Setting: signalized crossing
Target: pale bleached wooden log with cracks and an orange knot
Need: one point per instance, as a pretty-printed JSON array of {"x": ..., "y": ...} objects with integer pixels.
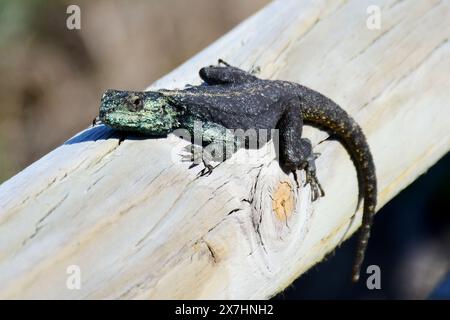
[{"x": 140, "y": 225}]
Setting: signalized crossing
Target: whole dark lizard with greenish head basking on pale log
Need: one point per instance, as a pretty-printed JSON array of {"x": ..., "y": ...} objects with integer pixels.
[{"x": 231, "y": 98}]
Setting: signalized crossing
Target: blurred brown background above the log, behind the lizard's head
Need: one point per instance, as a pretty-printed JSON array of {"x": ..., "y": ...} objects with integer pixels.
[{"x": 52, "y": 78}]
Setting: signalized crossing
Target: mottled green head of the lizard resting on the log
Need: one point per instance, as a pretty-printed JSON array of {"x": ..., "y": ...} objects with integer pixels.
[{"x": 147, "y": 112}]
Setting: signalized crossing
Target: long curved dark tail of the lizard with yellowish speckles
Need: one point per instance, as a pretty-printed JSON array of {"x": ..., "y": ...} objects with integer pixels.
[{"x": 327, "y": 115}]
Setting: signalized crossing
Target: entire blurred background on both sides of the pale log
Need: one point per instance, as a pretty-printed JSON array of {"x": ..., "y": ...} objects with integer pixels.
[{"x": 51, "y": 80}]
